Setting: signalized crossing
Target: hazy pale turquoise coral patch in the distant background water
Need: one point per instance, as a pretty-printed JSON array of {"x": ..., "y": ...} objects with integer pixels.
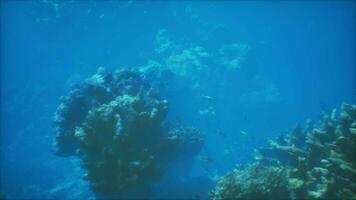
[{"x": 191, "y": 61}]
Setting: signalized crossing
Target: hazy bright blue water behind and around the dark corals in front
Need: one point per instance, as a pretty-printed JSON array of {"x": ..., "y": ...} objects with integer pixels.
[{"x": 296, "y": 59}]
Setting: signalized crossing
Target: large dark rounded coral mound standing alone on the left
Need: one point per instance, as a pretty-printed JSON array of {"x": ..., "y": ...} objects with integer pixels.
[{"x": 115, "y": 123}]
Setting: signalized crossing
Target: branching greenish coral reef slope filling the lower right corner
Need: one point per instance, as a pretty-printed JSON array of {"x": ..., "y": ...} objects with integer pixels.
[{"x": 317, "y": 162}]
